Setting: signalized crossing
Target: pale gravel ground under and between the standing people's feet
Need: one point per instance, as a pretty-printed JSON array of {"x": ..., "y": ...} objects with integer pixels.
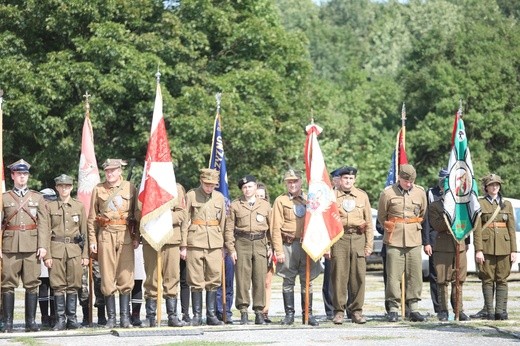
[{"x": 376, "y": 332}]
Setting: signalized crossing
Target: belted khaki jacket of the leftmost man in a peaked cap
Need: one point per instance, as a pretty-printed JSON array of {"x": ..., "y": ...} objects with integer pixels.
[{"x": 32, "y": 213}]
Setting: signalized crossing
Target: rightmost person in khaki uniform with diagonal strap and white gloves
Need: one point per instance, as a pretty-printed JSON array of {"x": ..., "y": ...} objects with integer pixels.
[{"x": 495, "y": 246}]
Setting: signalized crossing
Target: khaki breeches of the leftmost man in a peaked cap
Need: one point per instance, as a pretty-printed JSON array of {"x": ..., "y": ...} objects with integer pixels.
[{"x": 16, "y": 266}]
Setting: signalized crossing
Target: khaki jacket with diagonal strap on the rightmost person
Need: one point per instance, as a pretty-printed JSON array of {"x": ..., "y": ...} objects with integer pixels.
[{"x": 495, "y": 240}]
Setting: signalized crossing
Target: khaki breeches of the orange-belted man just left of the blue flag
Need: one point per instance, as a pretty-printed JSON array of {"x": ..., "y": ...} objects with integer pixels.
[{"x": 204, "y": 269}]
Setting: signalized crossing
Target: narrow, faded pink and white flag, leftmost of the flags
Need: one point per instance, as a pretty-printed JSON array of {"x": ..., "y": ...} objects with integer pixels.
[{"x": 88, "y": 176}]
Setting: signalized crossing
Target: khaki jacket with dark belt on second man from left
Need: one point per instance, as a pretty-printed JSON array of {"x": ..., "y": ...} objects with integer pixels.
[{"x": 67, "y": 220}]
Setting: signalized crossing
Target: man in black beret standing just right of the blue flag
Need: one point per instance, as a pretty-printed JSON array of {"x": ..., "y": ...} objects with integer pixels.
[{"x": 248, "y": 221}]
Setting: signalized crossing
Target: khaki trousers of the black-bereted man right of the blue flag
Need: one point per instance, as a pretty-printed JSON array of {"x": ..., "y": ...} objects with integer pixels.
[{"x": 251, "y": 267}]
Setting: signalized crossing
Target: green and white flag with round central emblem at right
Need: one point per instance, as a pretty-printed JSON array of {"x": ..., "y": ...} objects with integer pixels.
[{"x": 461, "y": 204}]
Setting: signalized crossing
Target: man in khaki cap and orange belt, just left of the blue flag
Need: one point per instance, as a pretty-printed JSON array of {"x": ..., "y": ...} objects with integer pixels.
[{"x": 202, "y": 244}]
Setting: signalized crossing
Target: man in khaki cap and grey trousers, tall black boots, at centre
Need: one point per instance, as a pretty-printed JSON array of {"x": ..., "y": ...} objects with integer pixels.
[{"x": 287, "y": 222}]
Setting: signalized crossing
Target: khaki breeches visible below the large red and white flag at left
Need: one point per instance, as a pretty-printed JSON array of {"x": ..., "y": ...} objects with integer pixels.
[{"x": 170, "y": 272}]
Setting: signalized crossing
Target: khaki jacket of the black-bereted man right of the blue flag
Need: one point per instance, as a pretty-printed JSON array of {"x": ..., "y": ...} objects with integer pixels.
[{"x": 245, "y": 218}]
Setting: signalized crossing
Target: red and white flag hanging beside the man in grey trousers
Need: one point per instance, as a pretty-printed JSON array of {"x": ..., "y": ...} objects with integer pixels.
[{"x": 322, "y": 221}]
